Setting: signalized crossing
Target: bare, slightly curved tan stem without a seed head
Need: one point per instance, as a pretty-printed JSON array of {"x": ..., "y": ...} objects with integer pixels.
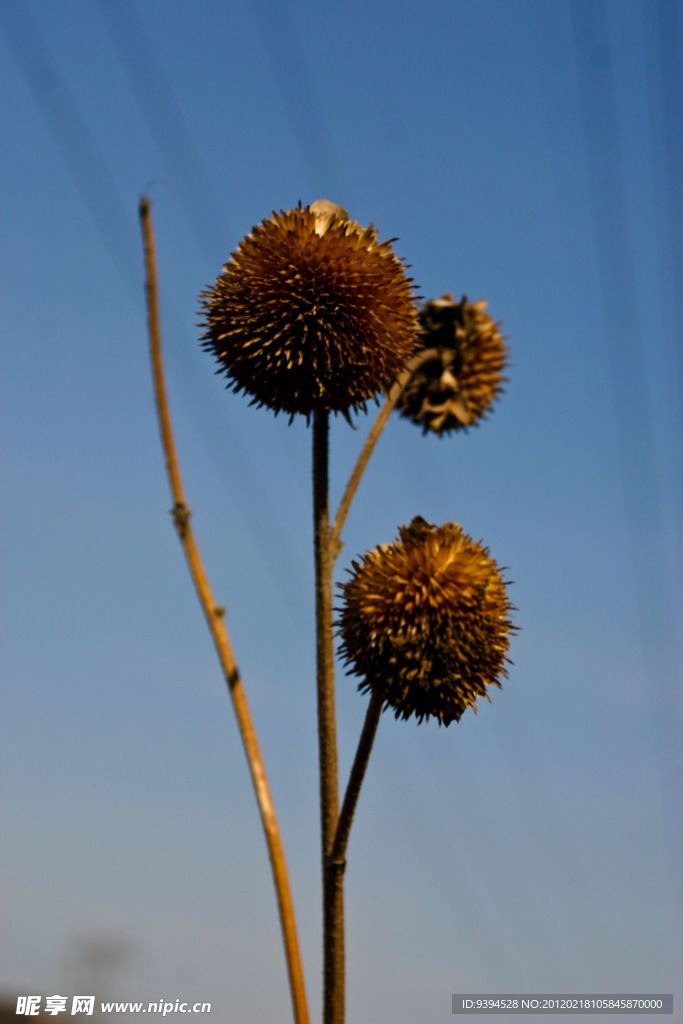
[{"x": 215, "y": 616}]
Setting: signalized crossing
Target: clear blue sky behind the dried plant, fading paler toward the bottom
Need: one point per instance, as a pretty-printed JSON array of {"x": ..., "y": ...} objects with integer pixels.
[{"x": 522, "y": 151}]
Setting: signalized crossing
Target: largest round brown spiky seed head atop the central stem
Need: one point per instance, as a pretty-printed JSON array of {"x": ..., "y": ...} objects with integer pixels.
[{"x": 311, "y": 313}]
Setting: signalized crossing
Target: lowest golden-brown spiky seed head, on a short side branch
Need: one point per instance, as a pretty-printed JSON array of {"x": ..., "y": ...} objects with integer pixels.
[{"x": 425, "y": 622}]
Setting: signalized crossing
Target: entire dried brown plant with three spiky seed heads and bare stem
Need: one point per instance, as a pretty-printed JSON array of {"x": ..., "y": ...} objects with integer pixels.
[{"x": 312, "y": 315}]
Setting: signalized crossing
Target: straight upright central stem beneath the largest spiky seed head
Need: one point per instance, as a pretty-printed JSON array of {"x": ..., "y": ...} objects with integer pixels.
[{"x": 333, "y": 881}]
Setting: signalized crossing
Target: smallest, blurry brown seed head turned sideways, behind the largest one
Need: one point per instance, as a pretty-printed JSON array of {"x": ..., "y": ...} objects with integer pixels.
[{"x": 457, "y": 388}]
